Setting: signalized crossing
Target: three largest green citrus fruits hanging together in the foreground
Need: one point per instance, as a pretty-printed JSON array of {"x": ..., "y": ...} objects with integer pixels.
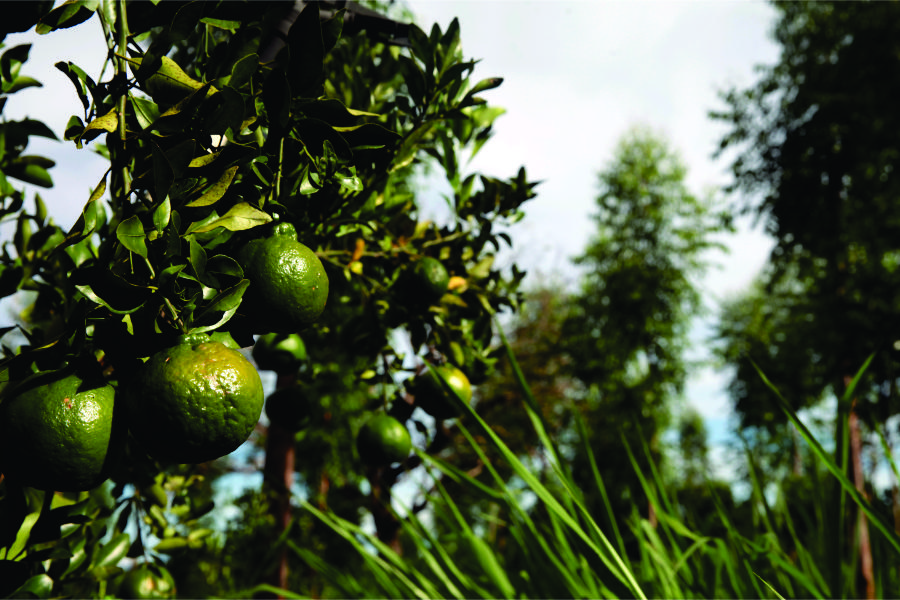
[{"x": 193, "y": 401}]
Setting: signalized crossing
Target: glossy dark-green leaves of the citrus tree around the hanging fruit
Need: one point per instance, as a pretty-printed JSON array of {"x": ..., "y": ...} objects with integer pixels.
[{"x": 214, "y": 130}]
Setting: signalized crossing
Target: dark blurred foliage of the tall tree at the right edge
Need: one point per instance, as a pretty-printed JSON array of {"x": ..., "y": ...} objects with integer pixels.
[{"x": 815, "y": 143}]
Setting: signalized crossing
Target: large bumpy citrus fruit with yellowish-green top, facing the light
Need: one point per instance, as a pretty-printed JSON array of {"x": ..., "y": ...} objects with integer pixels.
[{"x": 195, "y": 401}]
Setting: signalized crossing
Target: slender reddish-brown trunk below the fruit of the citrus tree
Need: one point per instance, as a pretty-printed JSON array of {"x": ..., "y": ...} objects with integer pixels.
[{"x": 278, "y": 476}]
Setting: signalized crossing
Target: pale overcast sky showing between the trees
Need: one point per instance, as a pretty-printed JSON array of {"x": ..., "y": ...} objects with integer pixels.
[{"x": 576, "y": 75}]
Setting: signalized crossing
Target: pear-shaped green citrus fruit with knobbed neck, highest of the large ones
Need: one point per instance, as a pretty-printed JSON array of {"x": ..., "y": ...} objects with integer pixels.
[{"x": 288, "y": 284}]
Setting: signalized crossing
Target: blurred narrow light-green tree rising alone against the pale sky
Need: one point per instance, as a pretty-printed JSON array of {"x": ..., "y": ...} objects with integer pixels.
[{"x": 627, "y": 331}]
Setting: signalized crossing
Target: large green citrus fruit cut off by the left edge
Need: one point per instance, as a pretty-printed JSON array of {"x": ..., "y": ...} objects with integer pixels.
[{"x": 58, "y": 432}]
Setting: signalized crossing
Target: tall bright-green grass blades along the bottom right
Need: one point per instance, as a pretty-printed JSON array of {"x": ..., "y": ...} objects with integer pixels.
[{"x": 553, "y": 547}]
